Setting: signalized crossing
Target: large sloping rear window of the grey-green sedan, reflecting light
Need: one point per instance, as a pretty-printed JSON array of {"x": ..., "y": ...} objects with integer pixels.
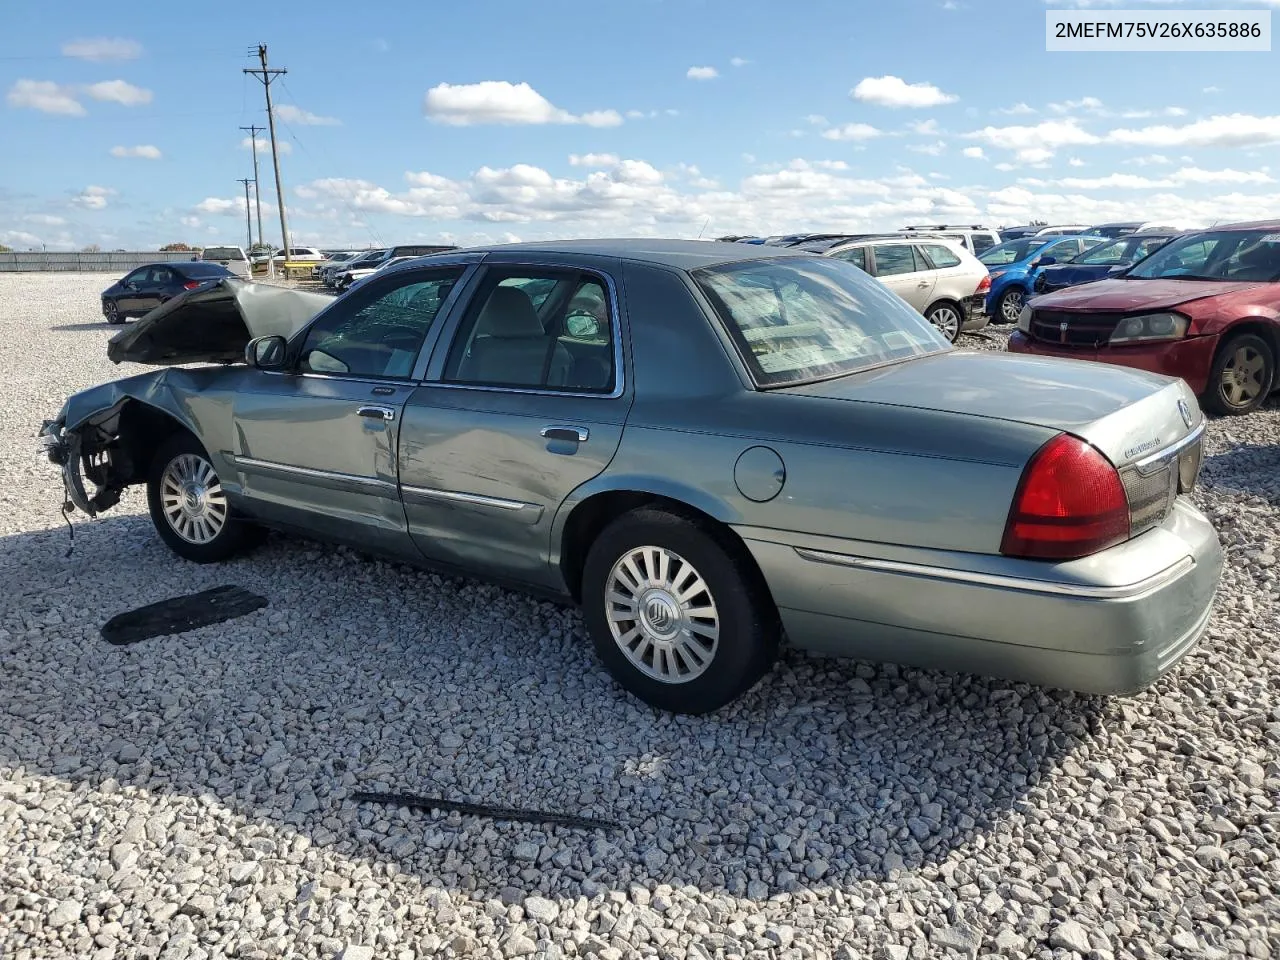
[{"x": 813, "y": 318}]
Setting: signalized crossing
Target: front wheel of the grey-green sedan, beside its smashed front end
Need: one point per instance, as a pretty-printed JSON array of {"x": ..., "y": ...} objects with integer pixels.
[{"x": 189, "y": 508}]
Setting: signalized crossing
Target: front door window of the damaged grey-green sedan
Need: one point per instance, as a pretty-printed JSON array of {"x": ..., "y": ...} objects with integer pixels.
[{"x": 378, "y": 331}]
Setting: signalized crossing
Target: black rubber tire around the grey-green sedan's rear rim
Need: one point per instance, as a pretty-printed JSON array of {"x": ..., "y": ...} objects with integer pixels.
[{"x": 748, "y": 624}]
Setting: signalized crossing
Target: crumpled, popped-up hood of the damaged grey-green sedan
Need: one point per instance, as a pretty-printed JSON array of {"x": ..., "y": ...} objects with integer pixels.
[{"x": 214, "y": 323}]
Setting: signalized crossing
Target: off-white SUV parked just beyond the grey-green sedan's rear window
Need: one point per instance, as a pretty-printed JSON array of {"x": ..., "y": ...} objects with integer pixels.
[{"x": 938, "y": 277}]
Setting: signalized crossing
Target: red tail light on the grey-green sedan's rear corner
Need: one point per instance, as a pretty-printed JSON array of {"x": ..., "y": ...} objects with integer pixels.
[{"x": 1069, "y": 504}]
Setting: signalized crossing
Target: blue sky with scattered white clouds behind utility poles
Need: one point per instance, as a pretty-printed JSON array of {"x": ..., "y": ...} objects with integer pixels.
[{"x": 499, "y": 121}]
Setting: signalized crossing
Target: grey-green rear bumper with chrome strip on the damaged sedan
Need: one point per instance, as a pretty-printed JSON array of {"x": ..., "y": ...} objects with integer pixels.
[{"x": 1112, "y": 624}]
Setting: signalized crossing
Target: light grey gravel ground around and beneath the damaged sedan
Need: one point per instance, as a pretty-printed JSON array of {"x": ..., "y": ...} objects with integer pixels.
[{"x": 188, "y": 797}]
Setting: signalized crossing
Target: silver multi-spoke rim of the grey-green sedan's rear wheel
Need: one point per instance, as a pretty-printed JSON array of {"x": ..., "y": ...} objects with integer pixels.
[{"x": 662, "y": 615}]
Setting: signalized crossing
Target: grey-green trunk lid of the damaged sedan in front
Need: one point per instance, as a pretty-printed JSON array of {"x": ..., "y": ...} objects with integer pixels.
[{"x": 1127, "y": 414}]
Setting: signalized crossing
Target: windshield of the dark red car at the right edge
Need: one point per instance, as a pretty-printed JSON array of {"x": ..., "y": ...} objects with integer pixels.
[{"x": 1217, "y": 255}]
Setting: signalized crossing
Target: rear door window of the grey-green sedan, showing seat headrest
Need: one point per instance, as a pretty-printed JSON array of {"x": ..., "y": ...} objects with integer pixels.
[{"x": 541, "y": 331}]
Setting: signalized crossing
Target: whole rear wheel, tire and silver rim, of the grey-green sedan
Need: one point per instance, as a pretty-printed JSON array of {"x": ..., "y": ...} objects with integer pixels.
[{"x": 678, "y": 612}]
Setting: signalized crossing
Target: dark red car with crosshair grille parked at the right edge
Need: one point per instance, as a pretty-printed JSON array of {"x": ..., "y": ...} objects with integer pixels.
[{"x": 1205, "y": 308}]
